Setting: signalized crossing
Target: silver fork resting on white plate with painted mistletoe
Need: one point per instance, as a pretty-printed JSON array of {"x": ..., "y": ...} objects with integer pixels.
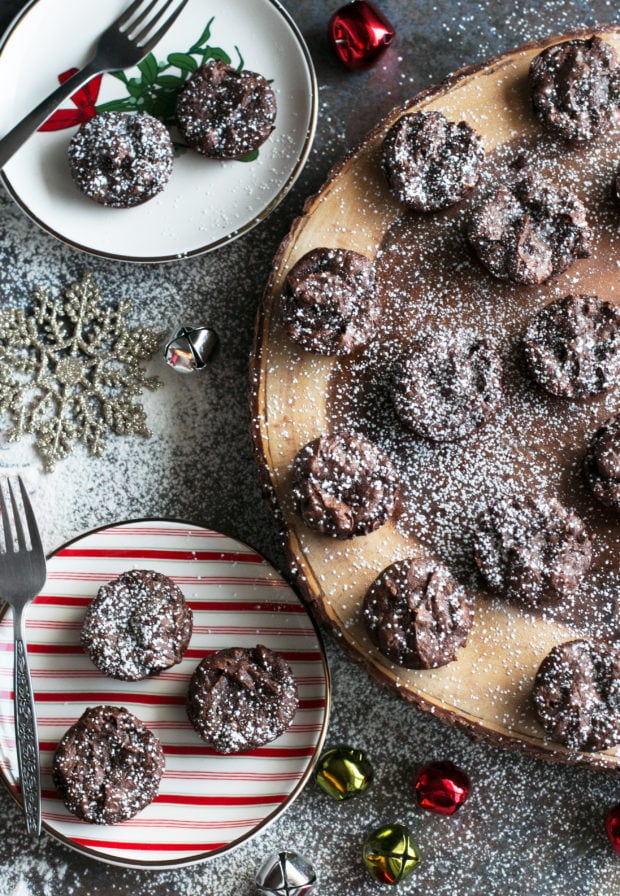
[{"x": 123, "y": 44}]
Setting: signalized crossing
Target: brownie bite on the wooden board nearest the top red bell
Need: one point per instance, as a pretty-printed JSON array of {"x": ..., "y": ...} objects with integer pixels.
[{"x": 431, "y": 162}]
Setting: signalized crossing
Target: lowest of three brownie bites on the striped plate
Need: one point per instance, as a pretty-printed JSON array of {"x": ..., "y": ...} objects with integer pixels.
[{"x": 108, "y": 765}]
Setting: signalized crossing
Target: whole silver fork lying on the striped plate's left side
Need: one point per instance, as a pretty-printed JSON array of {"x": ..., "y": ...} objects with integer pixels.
[{"x": 22, "y": 576}]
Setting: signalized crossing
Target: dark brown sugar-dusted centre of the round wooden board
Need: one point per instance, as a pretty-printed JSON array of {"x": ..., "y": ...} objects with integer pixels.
[{"x": 536, "y": 442}]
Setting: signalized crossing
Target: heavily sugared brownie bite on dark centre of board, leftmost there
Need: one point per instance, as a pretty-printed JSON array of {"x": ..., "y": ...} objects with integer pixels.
[{"x": 447, "y": 385}]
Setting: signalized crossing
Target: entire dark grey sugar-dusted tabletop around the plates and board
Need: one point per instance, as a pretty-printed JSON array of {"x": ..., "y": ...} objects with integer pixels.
[{"x": 530, "y": 828}]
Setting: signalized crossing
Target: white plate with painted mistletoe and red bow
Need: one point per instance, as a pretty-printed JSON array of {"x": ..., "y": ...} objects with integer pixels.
[{"x": 206, "y": 203}]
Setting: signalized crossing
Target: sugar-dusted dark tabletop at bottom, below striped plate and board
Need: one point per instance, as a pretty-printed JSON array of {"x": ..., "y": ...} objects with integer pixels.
[{"x": 497, "y": 844}]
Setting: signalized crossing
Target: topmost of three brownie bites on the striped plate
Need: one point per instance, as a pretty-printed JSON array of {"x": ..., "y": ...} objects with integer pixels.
[{"x": 138, "y": 625}]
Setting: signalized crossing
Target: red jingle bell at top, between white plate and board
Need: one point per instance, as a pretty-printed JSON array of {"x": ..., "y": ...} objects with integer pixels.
[{"x": 359, "y": 34}]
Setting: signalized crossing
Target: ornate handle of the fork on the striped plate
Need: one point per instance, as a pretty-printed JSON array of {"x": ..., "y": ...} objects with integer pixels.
[{"x": 26, "y": 736}]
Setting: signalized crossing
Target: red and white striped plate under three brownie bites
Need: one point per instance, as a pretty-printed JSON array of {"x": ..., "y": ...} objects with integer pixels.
[{"x": 207, "y": 803}]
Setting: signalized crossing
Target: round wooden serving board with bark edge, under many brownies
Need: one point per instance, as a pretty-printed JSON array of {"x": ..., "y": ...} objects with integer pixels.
[{"x": 430, "y": 282}]
